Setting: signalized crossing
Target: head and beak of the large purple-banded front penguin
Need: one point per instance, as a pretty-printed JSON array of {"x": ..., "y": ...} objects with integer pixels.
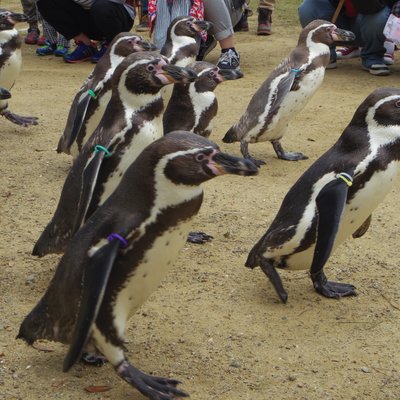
[{"x": 190, "y": 159}]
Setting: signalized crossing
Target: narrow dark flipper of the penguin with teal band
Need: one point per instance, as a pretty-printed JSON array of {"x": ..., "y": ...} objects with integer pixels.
[{"x": 89, "y": 180}]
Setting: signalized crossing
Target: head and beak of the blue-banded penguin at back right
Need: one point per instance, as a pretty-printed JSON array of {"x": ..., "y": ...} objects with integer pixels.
[{"x": 325, "y": 32}]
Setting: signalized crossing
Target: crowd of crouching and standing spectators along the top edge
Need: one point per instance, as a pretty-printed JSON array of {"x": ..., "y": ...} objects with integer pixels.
[{"x": 92, "y": 24}]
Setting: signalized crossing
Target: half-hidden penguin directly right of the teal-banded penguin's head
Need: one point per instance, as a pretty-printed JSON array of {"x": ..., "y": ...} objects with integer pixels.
[{"x": 193, "y": 105}]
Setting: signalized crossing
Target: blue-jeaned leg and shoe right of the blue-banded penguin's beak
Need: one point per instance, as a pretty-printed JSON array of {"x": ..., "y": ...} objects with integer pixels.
[{"x": 369, "y": 31}]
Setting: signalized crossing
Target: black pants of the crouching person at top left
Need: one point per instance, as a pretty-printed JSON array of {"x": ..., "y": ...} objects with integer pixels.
[{"x": 102, "y": 22}]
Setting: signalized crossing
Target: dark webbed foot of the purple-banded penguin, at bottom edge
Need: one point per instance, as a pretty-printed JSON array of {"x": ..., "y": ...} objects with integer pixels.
[{"x": 154, "y": 388}]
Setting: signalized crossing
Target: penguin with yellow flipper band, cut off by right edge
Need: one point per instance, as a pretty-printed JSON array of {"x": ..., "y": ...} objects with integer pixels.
[{"x": 335, "y": 197}]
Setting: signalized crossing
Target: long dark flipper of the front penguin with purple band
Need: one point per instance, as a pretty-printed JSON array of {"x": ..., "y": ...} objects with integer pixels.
[{"x": 95, "y": 279}]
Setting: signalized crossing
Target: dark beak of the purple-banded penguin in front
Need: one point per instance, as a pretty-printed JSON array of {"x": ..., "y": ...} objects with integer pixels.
[{"x": 223, "y": 163}]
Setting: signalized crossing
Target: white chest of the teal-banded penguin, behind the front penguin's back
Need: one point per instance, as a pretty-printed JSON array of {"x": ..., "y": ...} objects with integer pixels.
[{"x": 129, "y": 150}]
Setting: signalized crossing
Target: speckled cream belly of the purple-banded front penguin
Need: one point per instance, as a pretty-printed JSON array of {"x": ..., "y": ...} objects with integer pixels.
[{"x": 146, "y": 277}]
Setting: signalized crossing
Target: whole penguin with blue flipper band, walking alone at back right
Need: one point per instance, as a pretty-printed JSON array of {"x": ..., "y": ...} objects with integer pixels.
[{"x": 286, "y": 91}]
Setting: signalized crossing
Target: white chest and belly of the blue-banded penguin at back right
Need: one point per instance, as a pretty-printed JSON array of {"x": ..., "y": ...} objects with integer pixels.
[{"x": 293, "y": 103}]
